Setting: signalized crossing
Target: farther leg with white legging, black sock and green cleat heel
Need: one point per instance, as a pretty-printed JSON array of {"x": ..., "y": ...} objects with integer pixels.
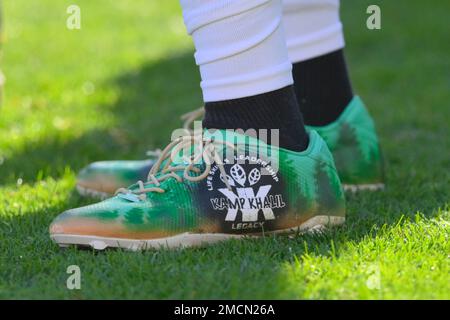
[{"x": 315, "y": 42}]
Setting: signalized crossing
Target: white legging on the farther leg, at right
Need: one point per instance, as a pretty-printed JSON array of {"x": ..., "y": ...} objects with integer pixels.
[{"x": 313, "y": 28}]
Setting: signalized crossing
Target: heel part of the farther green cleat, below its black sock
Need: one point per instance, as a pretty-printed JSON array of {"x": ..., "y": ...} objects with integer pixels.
[{"x": 353, "y": 141}]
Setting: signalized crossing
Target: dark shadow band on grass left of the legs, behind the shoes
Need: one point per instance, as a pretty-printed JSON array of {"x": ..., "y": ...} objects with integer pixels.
[{"x": 150, "y": 103}]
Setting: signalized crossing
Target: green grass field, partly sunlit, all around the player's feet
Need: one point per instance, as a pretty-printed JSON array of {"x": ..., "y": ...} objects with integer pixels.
[{"x": 116, "y": 87}]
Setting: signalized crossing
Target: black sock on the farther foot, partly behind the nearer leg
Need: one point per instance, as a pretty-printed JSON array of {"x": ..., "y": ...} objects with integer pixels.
[{"x": 323, "y": 88}]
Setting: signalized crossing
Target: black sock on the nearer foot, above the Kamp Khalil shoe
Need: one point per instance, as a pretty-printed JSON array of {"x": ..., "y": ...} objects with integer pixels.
[{"x": 272, "y": 110}]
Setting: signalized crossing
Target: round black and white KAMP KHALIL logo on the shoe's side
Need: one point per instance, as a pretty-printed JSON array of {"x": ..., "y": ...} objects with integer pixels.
[{"x": 254, "y": 200}]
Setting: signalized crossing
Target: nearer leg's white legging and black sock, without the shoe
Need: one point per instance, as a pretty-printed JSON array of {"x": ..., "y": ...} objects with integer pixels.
[{"x": 245, "y": 68}]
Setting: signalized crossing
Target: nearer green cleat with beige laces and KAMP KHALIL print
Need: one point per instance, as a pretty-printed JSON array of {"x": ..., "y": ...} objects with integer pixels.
[{"x": 192, "y": 197}]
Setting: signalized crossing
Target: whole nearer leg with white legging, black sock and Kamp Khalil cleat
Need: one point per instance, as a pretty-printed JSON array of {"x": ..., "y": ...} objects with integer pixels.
[{"x": 246, "y": 83}]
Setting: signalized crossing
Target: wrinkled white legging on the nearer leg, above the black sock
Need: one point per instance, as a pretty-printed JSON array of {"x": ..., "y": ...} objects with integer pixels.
[{"x": 240, "y": 46}]
